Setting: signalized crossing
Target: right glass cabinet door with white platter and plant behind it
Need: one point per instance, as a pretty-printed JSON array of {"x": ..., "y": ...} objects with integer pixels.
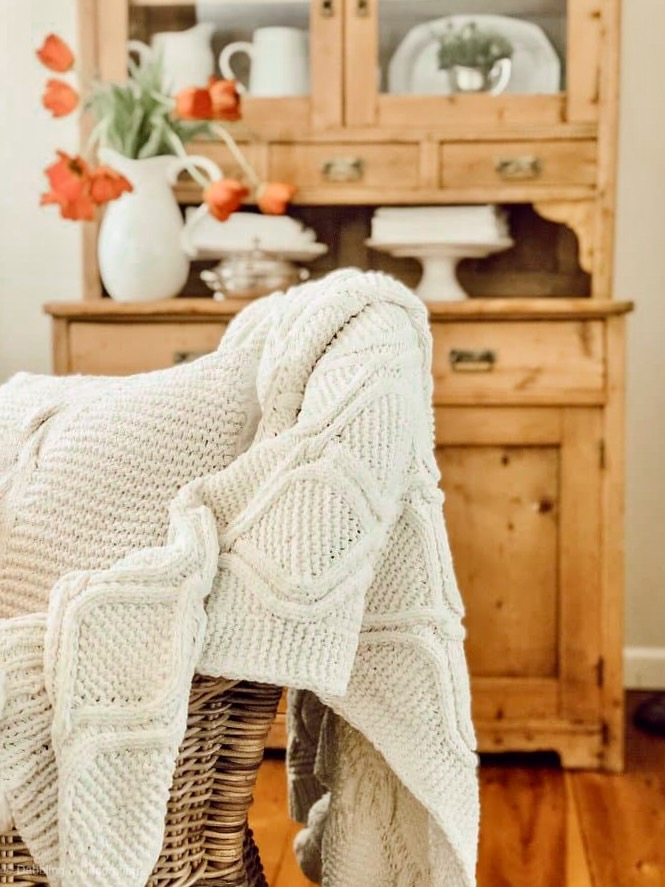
[{"x": 442, "y": 61}]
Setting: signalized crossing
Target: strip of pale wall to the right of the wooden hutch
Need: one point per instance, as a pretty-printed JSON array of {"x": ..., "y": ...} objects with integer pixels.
[{"x": 640, "y": 276}]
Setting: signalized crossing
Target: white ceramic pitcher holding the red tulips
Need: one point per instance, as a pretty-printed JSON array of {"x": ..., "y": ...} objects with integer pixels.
[{"x": 141, "y": 258}]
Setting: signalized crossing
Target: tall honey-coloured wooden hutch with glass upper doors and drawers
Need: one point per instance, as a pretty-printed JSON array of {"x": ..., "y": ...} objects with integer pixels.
[{"x": 529, "y": 371}]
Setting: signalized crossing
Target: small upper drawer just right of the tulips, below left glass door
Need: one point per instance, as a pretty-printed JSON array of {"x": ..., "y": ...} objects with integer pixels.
[{"x": 362, "y": 165}]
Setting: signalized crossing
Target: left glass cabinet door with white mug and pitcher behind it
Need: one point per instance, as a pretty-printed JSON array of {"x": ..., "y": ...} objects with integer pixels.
[{"x": 285, "y": 54}]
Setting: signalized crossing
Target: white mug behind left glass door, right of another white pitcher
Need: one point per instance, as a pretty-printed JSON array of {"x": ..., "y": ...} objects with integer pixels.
[{"x": 279, "y": 62}]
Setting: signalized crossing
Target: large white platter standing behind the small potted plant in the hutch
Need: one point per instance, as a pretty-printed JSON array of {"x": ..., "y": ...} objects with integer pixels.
[{"x": 414, "y": 68}]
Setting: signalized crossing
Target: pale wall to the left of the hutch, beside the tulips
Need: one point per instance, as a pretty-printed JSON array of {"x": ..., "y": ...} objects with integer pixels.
[{"x": 40, "y": 255}]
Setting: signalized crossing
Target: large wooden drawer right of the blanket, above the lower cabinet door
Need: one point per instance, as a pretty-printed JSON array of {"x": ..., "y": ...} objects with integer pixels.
[{"x": 556, "y": 362}]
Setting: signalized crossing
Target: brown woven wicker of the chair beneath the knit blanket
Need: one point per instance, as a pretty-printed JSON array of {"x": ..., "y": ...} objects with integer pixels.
[{"x": 206, "y": 839}]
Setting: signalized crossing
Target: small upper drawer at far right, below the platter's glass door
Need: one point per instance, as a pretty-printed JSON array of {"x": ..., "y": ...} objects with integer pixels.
[{"x": 518, "y": 163}]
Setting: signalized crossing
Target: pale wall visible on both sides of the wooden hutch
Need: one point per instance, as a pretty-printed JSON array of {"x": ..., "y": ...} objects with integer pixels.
[{"x": 40, "y": 261}]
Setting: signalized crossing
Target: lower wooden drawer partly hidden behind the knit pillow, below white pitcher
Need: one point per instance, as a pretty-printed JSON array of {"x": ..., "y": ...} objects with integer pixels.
[{"x": 118, "y": 349}]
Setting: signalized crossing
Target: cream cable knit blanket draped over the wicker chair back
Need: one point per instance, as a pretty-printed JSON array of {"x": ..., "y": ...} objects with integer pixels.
[{"x": 315, "y": 558}]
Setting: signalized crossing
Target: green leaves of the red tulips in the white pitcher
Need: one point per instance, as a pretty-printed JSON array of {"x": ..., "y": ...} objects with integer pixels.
[{"x": 135, "y": 118}]
